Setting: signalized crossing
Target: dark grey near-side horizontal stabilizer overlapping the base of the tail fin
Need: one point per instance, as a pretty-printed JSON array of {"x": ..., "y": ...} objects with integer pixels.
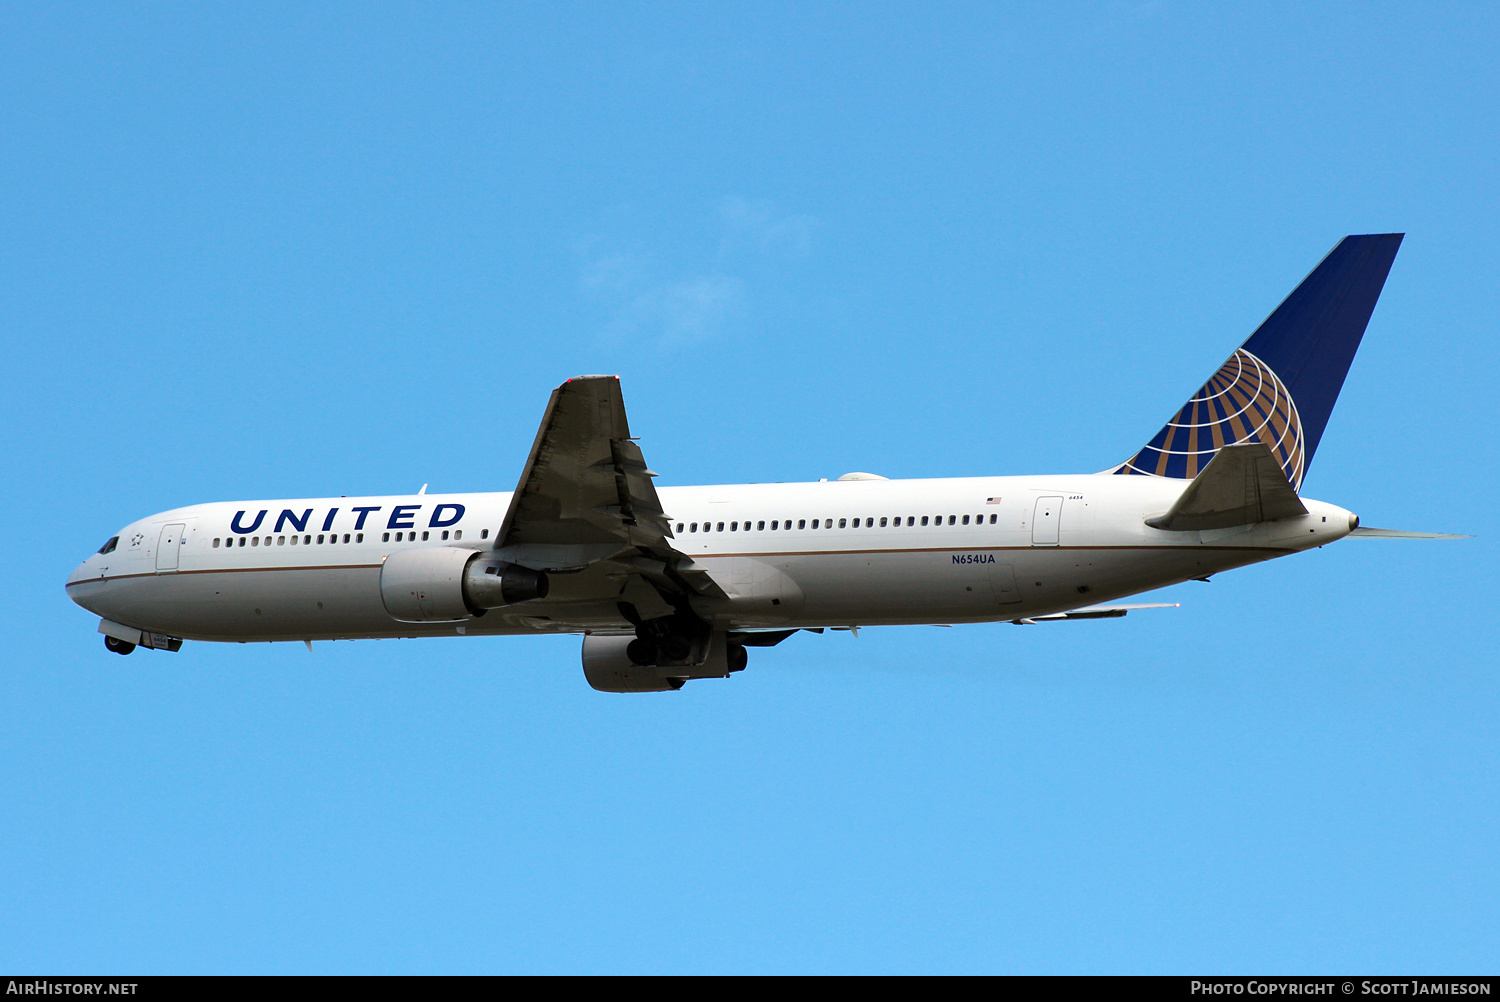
[{"x": 1241, "y": 485}]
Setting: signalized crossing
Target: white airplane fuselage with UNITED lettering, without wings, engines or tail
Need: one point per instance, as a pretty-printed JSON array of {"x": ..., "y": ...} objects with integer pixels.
[{"x": 883, "y": 553}]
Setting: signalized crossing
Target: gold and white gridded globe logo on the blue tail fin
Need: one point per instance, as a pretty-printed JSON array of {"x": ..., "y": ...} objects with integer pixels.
[{"x": 1244, "y": 401}]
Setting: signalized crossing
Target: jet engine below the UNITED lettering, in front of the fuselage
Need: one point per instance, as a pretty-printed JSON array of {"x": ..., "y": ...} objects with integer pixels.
[{"x": 449, "y": 584}]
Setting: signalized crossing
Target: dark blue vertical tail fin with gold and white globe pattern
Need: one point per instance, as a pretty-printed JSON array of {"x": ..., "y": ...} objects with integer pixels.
[{"x": 1280, "y": 386}]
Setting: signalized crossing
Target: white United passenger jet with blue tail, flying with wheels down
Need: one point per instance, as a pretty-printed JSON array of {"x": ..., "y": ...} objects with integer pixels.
[{"x": 674, "y": 584}]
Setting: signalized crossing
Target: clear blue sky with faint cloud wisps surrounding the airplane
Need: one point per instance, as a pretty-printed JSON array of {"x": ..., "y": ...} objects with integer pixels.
[{"x": 275, "y": 251}]
